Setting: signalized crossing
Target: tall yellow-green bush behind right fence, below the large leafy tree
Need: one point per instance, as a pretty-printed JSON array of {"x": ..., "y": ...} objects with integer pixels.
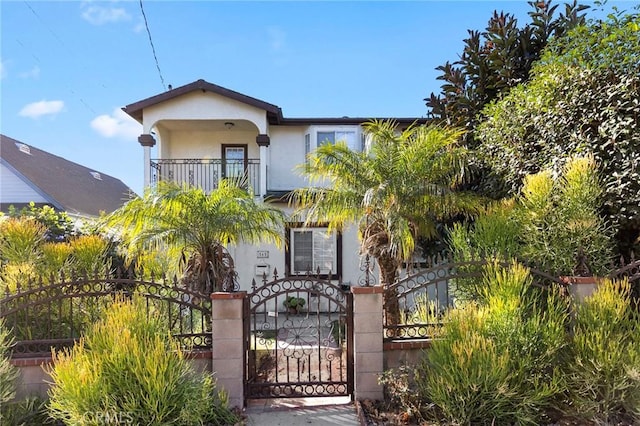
[{"x": 553, "y": 225}]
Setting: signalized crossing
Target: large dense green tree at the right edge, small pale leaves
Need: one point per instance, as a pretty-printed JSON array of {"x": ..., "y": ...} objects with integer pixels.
[{"x": 582, "y": 98}]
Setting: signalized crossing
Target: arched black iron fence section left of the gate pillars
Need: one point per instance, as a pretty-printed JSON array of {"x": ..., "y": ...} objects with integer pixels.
[{"x": 54, "y": 314}]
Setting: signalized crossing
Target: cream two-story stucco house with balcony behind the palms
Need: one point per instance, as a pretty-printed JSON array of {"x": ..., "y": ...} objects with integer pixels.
[{"x": 205, "y": 133}]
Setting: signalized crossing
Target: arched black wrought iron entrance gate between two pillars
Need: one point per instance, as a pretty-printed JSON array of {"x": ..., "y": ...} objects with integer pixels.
[{"x": 299, "y": 348}]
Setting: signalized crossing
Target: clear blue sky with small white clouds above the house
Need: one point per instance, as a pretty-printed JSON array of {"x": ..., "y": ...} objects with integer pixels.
[{"x": 67, "y": 67}]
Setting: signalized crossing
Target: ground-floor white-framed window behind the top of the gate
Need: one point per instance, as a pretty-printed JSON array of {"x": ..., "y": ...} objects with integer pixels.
[{"x": 312, "y": 250}]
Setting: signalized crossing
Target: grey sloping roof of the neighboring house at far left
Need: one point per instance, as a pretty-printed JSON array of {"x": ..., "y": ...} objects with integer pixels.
[{"x": 67, "y": 186}]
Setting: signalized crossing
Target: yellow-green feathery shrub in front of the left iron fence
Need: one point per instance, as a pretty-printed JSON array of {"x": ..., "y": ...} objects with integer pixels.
[{"x": 127, "y": 367}]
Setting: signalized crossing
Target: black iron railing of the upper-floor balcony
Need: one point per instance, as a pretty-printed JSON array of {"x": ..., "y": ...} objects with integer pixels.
[{"x": 205, "y": 173}]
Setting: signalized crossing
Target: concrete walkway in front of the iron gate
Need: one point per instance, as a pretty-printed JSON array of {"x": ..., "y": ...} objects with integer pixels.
[{"x": 339, "y": 411}]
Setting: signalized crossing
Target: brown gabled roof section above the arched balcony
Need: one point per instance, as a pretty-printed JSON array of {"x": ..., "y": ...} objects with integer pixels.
[{"x": 274, "y": 113}]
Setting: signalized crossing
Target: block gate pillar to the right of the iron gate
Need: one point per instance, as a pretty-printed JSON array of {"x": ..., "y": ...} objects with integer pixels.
[{"x": 367, "y": 342}]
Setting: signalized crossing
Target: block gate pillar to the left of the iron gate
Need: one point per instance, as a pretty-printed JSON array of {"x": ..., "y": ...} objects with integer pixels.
[{"x": 227, "y": 355}]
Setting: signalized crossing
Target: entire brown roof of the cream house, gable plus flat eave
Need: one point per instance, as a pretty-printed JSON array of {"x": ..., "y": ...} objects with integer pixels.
[{"x": 274, "y": 112}]
